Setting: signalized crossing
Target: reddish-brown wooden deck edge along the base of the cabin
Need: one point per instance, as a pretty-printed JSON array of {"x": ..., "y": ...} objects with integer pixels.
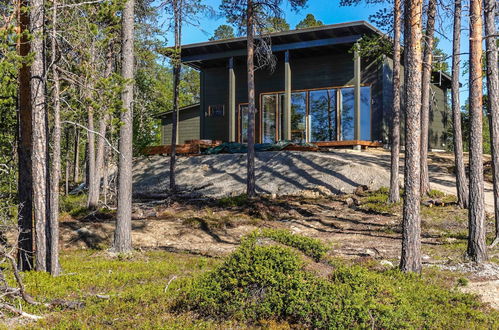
[{"x": 196, "y": 147}]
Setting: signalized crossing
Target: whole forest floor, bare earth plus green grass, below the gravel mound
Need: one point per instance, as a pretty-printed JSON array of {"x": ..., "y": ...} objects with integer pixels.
[{"x": 180, "y": 237}]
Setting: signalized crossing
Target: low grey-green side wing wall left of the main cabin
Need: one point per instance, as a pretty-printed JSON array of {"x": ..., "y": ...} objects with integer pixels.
[{"x": 189, "y": 126}]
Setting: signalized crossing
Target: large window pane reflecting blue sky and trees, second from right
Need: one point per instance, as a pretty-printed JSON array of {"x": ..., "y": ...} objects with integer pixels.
[{"x": 322, "y": 115}]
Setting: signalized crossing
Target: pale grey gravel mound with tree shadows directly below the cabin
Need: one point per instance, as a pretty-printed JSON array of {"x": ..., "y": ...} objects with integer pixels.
[{"x": 280, "y": 173}]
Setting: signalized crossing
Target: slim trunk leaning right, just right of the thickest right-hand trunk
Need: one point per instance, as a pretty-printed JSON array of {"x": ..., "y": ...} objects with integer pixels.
[{"x": 426, "y": 95}]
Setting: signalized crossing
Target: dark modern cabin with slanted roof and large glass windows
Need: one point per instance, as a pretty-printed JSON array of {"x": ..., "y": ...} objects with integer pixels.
[{"x": 320, "y": 90}]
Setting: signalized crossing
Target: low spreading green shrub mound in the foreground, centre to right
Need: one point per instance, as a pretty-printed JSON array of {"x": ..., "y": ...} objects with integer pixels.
[{"x": 261, "y": 281}]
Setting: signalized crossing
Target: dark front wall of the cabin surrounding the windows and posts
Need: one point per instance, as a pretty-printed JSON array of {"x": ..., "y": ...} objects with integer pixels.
[{"x": 334, "y": 70}]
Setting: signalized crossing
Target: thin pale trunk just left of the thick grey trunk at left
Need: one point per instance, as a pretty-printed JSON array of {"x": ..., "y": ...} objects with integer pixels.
[{"x": 91, "y": 139}]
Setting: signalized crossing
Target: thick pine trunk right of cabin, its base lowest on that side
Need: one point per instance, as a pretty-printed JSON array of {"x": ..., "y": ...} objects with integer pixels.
[{"x": 411, "y": 222}]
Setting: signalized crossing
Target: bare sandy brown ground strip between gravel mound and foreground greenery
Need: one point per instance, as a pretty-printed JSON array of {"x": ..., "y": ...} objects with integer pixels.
[{"x": 359, "y": 227}]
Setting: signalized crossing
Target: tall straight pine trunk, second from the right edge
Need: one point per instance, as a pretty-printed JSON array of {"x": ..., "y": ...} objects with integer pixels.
[{"x": 477, "y": 250}]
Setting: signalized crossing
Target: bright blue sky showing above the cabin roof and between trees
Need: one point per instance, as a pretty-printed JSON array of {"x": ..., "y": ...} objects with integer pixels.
[{"x": 330, "y": 12}]
